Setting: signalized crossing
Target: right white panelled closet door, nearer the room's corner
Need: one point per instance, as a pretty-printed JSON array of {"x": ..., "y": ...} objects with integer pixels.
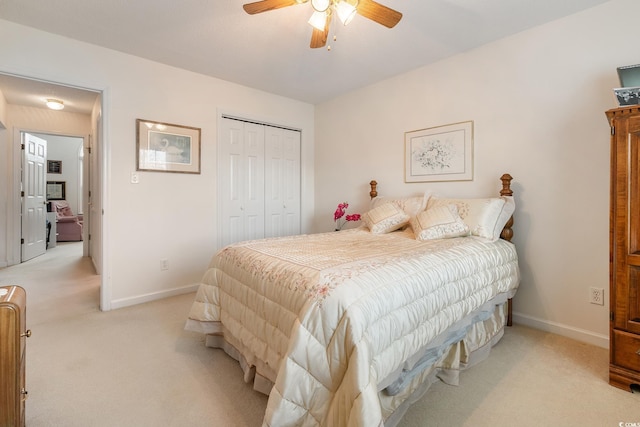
[{"x": 282, "y": 182}]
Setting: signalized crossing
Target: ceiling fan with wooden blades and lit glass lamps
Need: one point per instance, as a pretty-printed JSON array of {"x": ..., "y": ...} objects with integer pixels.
[{"x": 324, "y": 10}]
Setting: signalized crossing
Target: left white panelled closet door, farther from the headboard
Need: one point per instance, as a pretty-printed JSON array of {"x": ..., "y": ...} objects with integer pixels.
[{"x": 241, "y": 175}]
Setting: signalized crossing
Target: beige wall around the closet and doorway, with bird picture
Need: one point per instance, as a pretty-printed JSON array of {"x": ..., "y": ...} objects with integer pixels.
[{"x": 165, "y": 216}]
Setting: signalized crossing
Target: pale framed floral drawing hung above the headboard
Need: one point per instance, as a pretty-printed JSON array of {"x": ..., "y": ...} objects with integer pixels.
[{"x": 441, "y": 153}]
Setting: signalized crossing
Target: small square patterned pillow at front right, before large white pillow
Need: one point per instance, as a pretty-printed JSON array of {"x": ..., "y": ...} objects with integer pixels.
[{"x": 441, "y": 222}]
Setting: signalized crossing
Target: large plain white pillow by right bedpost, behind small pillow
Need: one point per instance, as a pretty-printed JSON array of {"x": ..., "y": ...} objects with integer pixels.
[{"x": 485, "y": 217}]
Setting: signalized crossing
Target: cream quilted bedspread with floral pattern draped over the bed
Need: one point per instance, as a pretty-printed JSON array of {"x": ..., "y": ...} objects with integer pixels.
[{"x": 332, "y": 314}]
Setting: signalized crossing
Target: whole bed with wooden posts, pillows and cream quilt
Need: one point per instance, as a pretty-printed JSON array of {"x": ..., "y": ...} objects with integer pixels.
[{"x": 349, "y": 328}]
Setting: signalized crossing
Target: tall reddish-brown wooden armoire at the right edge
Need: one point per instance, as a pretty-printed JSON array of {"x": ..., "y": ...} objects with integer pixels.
[{"x": 624, "y": 248}]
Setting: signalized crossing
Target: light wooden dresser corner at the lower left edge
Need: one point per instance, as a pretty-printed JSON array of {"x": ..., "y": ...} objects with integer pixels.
[{"x": 13, "y": 335}]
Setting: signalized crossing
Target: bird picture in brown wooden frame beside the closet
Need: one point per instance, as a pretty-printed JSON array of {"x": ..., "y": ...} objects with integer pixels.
[{"x": 165, "y": 147}]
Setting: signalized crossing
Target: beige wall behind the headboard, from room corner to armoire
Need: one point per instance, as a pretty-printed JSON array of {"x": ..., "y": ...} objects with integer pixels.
[{"x": 537, "y": 100}]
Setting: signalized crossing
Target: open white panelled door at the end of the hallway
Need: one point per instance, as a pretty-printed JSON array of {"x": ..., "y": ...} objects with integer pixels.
[{"x": 34, "y": 196}]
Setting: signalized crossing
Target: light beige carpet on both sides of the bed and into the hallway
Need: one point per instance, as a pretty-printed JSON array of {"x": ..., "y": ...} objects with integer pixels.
[{"x": 137, "y": 366}]
